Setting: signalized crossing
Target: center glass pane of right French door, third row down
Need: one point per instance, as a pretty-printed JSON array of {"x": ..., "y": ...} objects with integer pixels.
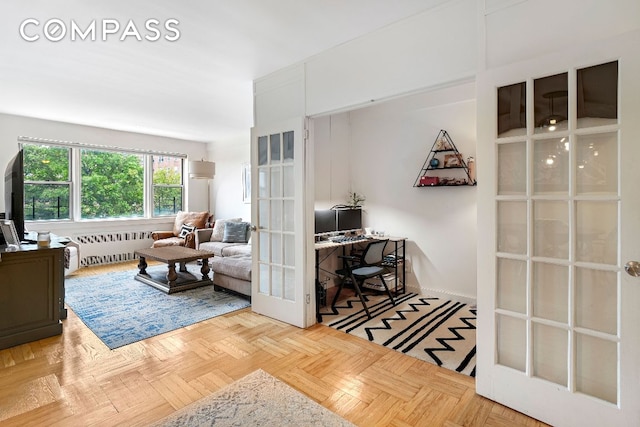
[{"x": 551, "y": 229}]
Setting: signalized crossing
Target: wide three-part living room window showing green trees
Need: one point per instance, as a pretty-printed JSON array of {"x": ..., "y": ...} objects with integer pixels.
[{"x": 107, "y": 183}]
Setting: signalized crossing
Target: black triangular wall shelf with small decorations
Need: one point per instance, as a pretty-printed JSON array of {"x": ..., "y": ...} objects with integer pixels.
[{"x": 444, "y": 156}]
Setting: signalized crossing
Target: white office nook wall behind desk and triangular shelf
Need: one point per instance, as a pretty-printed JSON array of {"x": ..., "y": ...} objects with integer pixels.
[{"x": 378, "y": 152}]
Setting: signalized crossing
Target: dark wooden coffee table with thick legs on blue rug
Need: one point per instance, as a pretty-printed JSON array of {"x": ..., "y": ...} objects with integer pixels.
[{"x": 174, "y": 281}]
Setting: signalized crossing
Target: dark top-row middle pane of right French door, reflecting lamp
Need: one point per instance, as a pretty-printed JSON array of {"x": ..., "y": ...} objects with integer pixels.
[{"x": 551, "y": 106}]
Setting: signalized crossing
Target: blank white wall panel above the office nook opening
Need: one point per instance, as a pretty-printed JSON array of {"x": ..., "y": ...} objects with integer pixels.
[{"x": 432, "y": 48}]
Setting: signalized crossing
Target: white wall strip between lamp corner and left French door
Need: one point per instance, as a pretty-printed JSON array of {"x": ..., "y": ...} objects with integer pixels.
[{"x": 226, "y": 199}]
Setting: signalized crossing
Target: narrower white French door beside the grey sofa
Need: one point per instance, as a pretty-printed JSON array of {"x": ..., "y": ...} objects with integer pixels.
[{"x": 279, "y": 244}]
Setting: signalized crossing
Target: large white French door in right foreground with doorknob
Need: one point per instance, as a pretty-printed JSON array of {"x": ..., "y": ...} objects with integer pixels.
[{"x": 558, "y": 318}]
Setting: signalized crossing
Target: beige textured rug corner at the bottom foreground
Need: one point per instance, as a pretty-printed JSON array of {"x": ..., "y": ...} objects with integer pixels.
[{"x": 257, "y": 399}]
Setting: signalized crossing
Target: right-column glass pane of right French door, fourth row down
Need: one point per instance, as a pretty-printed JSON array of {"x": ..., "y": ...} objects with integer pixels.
[{"x": 596, "y": 300}]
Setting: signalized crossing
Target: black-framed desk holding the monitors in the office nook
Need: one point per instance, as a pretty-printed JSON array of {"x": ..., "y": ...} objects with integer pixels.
[{"x": 397, "y": 266}]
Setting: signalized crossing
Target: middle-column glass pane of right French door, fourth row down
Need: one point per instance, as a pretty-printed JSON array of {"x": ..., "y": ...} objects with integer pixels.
[{"x": 550, "y": 292}]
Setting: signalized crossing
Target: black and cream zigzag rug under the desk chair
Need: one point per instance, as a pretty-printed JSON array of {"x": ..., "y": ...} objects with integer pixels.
[{"x": 427, "y": 328}]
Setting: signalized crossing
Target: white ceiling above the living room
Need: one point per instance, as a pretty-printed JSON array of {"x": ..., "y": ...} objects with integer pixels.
[{"x": 198, "y": 87}]
